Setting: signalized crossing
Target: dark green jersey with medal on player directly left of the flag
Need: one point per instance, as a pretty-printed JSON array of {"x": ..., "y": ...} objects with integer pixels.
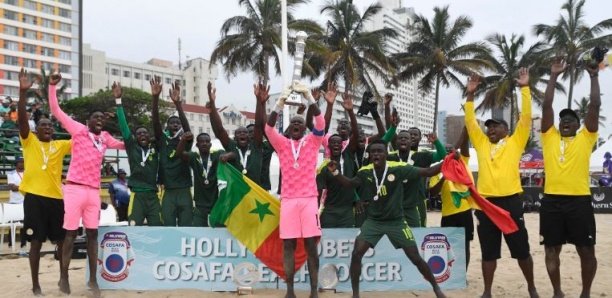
[{"x": 205, "y": 191}]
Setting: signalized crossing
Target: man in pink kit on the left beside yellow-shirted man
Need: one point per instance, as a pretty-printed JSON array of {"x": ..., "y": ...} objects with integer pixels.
[{"x": 82, "y": 188}]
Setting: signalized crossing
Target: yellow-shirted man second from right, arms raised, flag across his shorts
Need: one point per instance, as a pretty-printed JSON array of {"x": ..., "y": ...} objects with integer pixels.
[{"x": 499, "y": 182}]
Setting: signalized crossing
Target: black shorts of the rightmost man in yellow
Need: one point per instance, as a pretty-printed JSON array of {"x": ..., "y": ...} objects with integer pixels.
[{"x": 567, "y": 219}]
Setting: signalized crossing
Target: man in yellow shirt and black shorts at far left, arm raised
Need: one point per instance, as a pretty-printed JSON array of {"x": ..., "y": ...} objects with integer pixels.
[{"x": 43, "y": 206}]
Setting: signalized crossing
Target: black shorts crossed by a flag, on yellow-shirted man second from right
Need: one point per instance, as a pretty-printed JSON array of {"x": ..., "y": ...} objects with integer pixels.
[{"x": 490, "y": 236}]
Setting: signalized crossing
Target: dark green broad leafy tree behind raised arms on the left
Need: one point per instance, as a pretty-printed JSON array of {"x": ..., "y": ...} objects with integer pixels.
[{"x": 136, "y": 103}]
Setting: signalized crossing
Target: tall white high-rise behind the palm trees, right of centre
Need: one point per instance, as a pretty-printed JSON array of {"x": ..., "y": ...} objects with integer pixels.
[{"x": 414, "y": 108}]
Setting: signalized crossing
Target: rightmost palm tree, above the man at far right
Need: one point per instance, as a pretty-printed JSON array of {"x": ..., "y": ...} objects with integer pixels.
[{"x": 572, "y": 37}]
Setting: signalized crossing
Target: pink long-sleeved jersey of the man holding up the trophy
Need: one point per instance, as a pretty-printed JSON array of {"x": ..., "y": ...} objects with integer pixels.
[{"x": 298, "y": 182}]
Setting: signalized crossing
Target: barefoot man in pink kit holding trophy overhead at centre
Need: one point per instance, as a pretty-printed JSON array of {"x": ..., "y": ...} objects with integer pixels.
[{"x": 298, "y": 160}]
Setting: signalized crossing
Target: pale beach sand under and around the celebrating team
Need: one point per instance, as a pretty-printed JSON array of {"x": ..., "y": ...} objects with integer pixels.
[{"x": 15, "y": 273}]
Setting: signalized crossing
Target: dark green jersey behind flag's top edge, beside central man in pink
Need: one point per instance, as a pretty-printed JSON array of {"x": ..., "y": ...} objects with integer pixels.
[{"x": 253, "y": 157}]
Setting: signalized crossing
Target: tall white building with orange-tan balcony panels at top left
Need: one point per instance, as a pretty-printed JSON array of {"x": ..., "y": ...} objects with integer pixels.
[{"x": 40, "y": 34}]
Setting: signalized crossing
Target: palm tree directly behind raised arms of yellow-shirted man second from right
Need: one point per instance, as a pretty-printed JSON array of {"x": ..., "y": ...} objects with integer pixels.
[{"x": 499, "y": 89}]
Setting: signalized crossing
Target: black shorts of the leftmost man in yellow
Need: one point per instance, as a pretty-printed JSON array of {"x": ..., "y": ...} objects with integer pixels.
[{"x": 43, "y": 218}]
